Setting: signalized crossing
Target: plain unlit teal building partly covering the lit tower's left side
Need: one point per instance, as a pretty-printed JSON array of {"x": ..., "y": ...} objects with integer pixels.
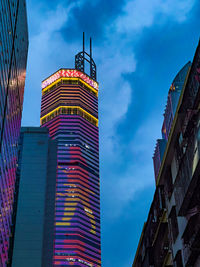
[{"x": 35, "y": 199}]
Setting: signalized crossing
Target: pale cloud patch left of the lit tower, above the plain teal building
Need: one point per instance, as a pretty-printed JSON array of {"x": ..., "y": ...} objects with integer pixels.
[{"x": 46, "y": 46}]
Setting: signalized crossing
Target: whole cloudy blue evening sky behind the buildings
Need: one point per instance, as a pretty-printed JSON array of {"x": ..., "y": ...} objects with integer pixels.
[{"x": 138, "y": 46}]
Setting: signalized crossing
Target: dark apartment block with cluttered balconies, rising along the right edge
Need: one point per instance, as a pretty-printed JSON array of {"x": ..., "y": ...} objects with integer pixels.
[{"x": 171, "y": 234}]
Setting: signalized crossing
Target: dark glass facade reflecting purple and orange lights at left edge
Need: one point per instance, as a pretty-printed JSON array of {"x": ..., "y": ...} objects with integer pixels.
[{"x": 13, "y": 57}]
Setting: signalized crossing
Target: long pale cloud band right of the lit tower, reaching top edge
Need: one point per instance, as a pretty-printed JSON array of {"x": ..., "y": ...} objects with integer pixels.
[{"x": 117, "y": 93}]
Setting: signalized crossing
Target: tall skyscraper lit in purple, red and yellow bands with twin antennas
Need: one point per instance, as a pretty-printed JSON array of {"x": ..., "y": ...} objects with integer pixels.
[{"x": 70, "y": 110}]
